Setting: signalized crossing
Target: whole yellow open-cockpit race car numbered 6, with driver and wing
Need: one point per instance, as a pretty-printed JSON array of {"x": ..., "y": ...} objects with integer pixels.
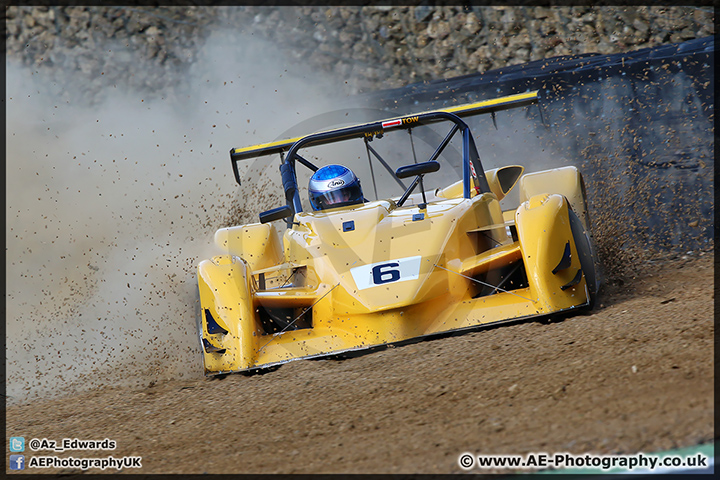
[{"x": 434, "y": 255}]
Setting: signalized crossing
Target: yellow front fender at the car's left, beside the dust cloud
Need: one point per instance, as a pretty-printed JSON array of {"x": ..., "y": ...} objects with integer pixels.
[{"x": 230, "y": 330}]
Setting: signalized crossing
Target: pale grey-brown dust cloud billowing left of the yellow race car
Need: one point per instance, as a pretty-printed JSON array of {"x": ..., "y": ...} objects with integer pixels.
[{"x": 110, "y": 208}]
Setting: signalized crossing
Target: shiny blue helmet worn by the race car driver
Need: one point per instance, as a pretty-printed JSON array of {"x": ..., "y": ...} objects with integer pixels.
[{"x": 334, "y": 186}]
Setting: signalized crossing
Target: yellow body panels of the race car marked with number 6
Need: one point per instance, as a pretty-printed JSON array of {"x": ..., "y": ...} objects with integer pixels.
[{"x": 356, "y": 277}]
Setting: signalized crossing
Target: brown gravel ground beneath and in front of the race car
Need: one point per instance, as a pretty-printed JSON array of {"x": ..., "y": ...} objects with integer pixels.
[{"x": 636, "y": 375}]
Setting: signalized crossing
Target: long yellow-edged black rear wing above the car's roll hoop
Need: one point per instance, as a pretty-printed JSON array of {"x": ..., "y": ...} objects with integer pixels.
[{"x": 379, "y": 127}]
